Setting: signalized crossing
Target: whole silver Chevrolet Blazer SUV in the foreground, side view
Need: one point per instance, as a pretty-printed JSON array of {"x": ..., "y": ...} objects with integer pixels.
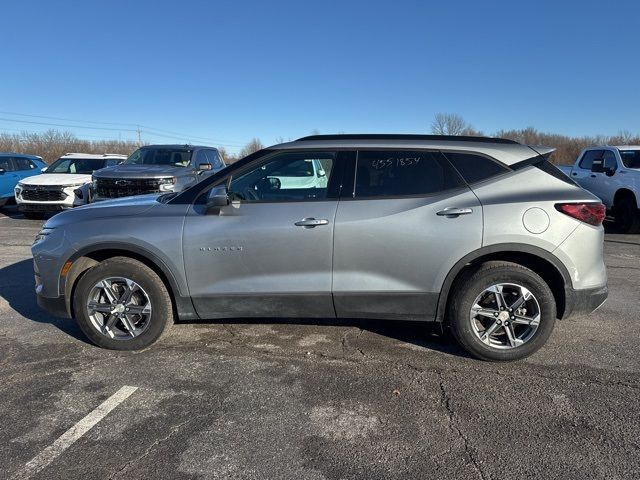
[{"x": 482, "y": 235}]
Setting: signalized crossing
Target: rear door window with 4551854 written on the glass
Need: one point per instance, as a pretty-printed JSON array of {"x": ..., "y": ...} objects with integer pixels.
[{"x": 400, "y": 173}]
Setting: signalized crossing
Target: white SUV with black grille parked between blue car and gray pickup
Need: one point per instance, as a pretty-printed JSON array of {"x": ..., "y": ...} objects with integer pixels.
[{"x": 64, "y": 184}]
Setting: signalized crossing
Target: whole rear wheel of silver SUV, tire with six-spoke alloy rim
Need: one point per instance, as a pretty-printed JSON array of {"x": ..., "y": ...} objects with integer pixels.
[{"x": 475, "y": 285}]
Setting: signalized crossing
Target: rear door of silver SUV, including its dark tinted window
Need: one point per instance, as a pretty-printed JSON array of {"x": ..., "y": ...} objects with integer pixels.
[{"x": 407, "y": 221}]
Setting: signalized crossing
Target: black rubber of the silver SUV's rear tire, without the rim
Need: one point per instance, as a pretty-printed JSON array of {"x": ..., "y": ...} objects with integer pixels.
[{"x": 473, "y": 283}]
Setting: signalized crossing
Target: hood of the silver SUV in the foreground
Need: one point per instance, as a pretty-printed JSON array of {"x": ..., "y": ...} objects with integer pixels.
[{"x": 120, "y": 207}]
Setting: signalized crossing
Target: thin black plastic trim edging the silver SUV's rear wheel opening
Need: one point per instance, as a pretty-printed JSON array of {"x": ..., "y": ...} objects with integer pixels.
[{"x": 489, "y": 250}]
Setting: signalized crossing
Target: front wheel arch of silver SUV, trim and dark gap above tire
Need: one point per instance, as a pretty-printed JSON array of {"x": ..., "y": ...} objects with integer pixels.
[{"x": 86, "y": 258}]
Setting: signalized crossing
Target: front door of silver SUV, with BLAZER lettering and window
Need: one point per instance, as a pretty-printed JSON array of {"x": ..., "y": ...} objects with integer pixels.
[{"x": 269, "y": 252}]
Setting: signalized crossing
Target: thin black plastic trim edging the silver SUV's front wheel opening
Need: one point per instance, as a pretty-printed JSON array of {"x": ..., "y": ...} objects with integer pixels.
[{"x": 183, "y": 304}]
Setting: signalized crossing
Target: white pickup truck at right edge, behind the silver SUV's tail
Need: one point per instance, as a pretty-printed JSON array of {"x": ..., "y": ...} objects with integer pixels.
[{"x": 613, "y": 174}]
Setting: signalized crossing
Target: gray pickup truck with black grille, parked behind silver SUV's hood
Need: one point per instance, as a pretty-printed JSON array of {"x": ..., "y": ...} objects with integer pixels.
[{"x": 157, "y": 169}]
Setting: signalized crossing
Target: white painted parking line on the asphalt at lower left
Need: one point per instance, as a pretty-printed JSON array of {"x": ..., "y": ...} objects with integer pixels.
[{"x": 65, "y": 440}]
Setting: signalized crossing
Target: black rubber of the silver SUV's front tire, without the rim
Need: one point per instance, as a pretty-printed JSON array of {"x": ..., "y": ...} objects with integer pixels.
[{"x": 159, "y": 321}]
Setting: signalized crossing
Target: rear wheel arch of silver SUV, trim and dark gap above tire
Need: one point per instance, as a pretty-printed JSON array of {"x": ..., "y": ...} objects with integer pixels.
[{"x": 542, "y": 262}]
